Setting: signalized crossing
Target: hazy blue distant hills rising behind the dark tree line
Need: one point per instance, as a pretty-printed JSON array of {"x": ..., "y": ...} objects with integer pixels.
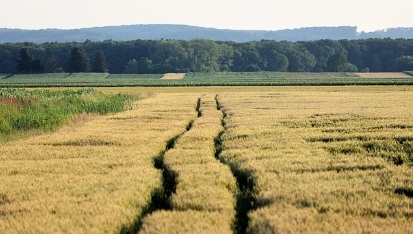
[{"x": 185, "y": 32}]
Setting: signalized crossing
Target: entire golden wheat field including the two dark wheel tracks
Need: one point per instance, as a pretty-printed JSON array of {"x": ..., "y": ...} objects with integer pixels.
[{"x": 221, "y": 159}]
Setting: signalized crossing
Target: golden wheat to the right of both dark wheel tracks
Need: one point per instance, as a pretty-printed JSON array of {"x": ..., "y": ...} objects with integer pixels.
[{"x": 309, "y": 157}]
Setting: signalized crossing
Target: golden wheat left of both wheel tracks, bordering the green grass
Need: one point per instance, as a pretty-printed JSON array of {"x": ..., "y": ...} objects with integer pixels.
[{"x": 93, "y": 178}]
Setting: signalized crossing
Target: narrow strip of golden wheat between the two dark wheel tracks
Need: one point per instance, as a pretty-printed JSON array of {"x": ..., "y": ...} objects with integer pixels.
[{"x": 204, "y": 200}]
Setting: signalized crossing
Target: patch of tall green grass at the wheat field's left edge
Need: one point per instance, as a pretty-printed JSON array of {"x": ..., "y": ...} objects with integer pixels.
[{"x": 42, "y": 110}]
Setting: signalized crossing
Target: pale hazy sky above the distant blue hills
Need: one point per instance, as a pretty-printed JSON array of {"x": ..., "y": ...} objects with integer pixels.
[{"x": 367, "y": 15}]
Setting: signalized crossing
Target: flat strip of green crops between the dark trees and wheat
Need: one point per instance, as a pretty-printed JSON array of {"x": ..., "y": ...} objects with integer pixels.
[{"x": 199, "y": 79}]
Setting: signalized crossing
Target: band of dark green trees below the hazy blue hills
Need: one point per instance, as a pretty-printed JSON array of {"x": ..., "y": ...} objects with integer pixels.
[{"x": 202, "y": 55}]
